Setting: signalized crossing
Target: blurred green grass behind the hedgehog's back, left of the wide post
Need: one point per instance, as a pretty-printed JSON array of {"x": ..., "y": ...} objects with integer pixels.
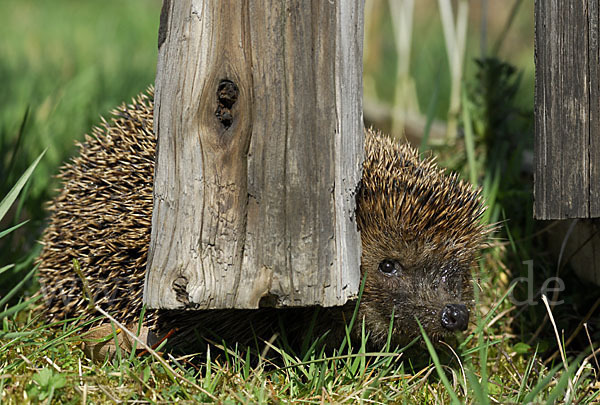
[{"x": 63, "y": 64}]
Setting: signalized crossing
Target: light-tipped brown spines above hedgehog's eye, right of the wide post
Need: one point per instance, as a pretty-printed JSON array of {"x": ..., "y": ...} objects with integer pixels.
[{"x": 404, "y": 196}]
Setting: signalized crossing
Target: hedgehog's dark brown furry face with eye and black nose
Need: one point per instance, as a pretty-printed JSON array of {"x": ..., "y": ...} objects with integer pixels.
[{"x": 413, "y": 282}]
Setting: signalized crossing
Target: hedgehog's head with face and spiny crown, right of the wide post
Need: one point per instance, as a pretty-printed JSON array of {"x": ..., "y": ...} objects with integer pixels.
[{"x": 426, "y": 225}]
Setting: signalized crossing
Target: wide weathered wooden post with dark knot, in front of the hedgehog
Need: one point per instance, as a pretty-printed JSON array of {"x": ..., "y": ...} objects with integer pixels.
[{"x": 258, "y": 113}]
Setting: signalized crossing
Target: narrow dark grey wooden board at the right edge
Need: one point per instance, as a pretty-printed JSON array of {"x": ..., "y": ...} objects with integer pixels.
[{"x": 567, "y": 110}]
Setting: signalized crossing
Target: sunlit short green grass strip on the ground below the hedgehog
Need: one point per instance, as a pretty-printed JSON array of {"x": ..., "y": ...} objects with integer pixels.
[{"x": 40, "y": 362}]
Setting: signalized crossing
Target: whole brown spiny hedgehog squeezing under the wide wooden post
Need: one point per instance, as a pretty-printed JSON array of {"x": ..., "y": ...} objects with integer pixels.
[{"x": 421, "y": 231}]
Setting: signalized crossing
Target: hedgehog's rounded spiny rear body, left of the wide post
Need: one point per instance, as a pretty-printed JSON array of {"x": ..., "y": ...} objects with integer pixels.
[{"x": 102, "y": 217}]
